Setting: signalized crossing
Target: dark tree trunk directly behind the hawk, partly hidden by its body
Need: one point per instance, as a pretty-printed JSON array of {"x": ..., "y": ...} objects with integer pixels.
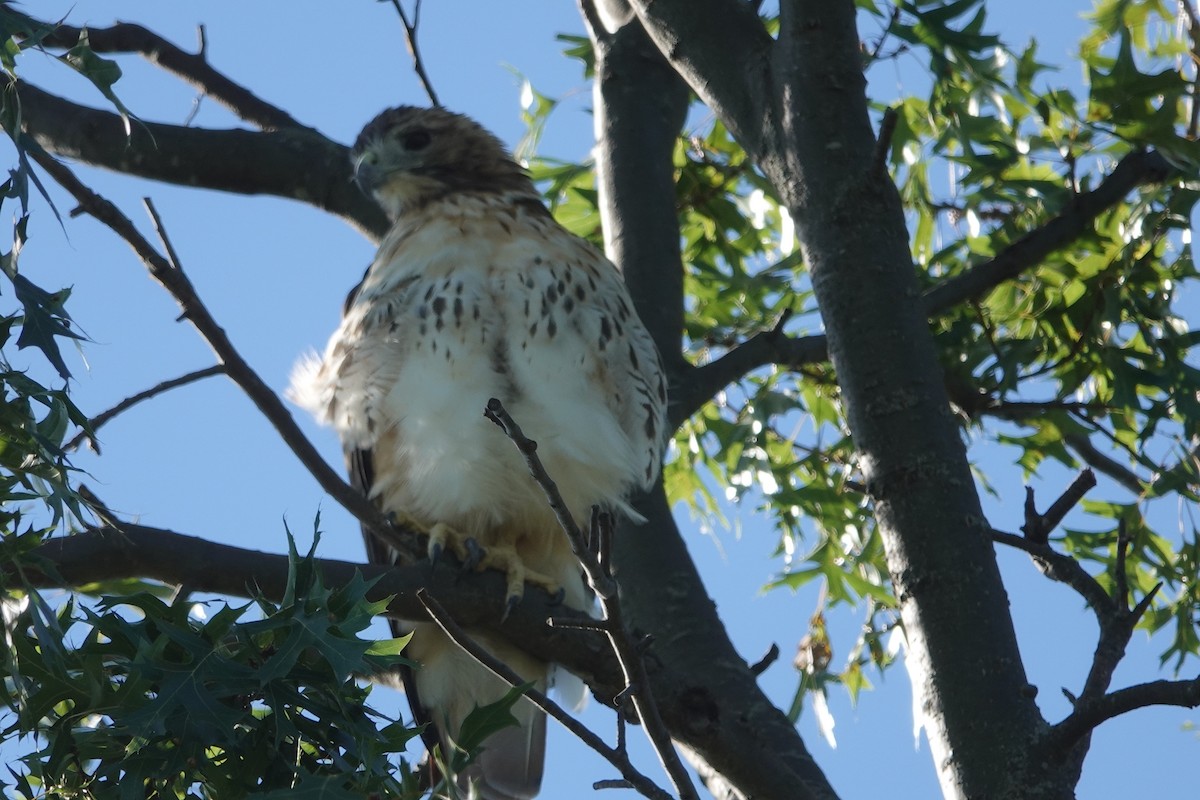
[{"x": 712, "y": 701}]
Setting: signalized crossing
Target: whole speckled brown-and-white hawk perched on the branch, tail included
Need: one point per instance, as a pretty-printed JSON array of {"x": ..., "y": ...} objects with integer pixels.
[{"x": 478, "y": 293}]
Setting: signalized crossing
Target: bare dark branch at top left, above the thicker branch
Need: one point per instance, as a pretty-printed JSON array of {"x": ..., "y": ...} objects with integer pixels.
[{"x": 193, "y": 68}]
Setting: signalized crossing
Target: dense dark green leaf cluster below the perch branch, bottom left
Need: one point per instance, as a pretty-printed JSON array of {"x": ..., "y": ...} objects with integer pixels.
[{"x": 136, "y": 697}]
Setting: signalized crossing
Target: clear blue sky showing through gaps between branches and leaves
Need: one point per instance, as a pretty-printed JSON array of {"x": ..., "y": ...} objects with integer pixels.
[{"x": 274, "y": 273}]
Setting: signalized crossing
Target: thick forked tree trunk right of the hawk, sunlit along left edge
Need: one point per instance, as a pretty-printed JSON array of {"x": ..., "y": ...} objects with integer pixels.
[{"x": 799, "y": 105}]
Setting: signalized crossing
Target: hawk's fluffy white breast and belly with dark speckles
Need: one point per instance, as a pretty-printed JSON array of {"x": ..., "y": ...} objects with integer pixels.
[{"x": 472, "y": 304}]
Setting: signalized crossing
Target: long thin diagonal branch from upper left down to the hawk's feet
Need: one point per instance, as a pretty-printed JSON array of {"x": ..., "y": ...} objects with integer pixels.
[{"x": 261, "y": 395}]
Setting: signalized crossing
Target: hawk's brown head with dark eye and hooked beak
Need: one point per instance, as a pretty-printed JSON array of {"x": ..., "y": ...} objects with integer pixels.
[{"x": 409, "y": 155}]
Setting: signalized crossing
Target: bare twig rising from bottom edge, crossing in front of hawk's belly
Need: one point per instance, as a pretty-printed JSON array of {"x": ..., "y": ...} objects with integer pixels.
[{"x": 628, "y": 652}]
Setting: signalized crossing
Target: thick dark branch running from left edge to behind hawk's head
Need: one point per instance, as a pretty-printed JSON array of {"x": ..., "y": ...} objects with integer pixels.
[{"x": 295, "y": 164}]
